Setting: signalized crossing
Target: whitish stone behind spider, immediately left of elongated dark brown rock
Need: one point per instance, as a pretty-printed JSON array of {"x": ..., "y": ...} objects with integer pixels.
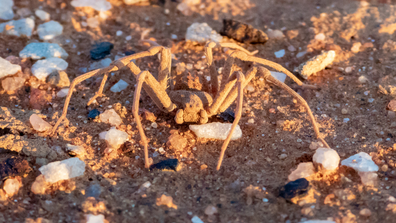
[{"x": 202, "y": 32}]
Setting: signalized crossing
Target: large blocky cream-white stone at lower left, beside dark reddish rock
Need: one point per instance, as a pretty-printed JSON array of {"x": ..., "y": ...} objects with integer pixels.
[{"x": 63, "y": 170}]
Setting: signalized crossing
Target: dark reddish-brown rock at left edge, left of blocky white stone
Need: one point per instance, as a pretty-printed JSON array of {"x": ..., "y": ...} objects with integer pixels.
[{"x": 14, "y": 166}]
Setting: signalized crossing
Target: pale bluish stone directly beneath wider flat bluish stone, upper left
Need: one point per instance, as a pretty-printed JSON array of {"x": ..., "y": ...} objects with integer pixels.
[{"x": 42, "y": 68}]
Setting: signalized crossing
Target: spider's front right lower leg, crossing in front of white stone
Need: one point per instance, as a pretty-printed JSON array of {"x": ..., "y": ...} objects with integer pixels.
[{"x": 238, "y": 114}]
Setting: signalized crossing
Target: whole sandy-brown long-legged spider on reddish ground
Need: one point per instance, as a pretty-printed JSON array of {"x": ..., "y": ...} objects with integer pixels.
[{"x": 193, "y": 106}]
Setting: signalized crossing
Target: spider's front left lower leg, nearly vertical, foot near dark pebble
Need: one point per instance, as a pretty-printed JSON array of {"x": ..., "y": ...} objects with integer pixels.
[{"x": 135, "y": 110}]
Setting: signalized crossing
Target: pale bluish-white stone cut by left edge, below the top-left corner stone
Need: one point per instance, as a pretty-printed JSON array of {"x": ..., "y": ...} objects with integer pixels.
[{"x": 21, "y": 27}]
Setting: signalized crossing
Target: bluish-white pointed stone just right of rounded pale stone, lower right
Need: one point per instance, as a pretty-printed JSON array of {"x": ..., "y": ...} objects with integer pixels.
[{"x": 361, "y": 162}]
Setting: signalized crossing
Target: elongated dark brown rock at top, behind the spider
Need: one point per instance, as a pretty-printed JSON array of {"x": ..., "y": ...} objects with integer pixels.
[{"x": 242, "y": 32}]
